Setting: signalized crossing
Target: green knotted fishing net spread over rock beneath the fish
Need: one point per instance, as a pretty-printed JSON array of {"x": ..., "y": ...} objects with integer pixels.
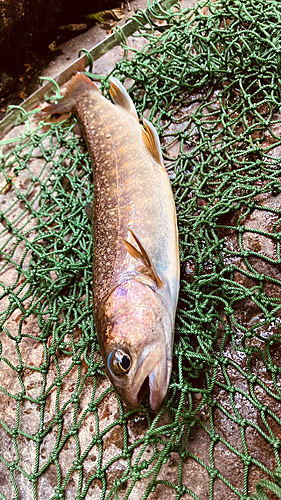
[{"x": 209, "y": 79}]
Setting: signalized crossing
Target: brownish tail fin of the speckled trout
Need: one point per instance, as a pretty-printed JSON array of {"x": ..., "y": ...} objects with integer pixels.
[{"x": 78, "y": 84}]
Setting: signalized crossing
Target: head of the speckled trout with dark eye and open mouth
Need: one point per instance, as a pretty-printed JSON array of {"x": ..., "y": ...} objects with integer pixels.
[{"x": 134, "y": 344}]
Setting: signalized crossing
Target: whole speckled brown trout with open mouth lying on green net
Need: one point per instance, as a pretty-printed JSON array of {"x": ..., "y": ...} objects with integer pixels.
[{"x": 136, "y": 268}]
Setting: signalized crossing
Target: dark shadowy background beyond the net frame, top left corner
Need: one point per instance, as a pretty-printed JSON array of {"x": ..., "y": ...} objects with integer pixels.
[{"x": 27, "y": 28}]
